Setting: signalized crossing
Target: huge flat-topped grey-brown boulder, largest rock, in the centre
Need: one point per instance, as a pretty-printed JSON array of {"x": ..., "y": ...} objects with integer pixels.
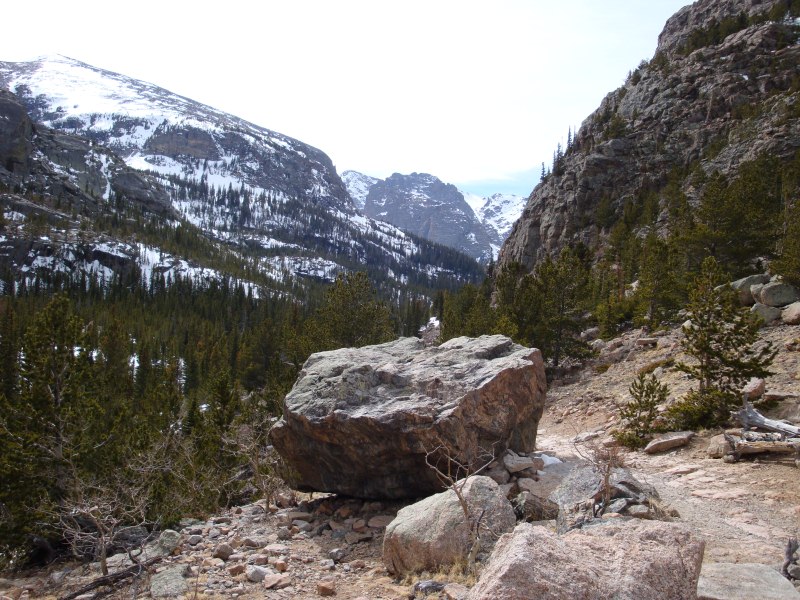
[{"x": 360, "y": 421}]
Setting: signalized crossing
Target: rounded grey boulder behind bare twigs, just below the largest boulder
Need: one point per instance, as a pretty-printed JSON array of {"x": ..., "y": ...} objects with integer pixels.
[{"x": 434, "y": 532}]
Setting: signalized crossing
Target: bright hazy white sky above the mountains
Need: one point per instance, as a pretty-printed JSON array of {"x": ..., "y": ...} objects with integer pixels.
[{"x": 477, "y": 93}]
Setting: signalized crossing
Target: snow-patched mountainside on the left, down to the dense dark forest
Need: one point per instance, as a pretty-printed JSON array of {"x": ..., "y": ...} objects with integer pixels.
[{"x": 83, "y": 150}]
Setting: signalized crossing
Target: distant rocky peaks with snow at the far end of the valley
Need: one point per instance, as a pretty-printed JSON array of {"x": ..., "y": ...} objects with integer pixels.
[{"x": 424, "y": 205}]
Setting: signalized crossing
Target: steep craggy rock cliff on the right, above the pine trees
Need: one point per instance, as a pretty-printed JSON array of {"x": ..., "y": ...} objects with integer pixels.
[{"x": 723, "y": 88}]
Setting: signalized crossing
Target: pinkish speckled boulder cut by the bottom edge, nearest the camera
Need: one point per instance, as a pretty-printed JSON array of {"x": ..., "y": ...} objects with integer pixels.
[{"x": 630, "y": 560}]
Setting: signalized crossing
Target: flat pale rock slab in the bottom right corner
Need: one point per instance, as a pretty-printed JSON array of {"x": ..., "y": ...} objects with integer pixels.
[{"x": 743, "y": 581}]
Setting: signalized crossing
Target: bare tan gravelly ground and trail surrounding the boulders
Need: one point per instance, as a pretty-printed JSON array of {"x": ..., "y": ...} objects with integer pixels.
[{"x": 325, "y": 545}]
